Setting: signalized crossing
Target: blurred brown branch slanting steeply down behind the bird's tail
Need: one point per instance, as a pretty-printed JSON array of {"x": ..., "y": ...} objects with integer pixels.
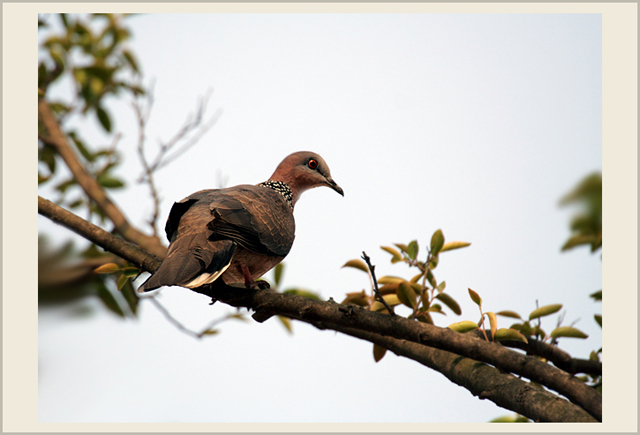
[{"x": 58, "y": 140}]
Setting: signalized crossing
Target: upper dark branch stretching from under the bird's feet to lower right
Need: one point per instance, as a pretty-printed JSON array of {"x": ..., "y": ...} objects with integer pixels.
[{"x": 268, "y": 303}]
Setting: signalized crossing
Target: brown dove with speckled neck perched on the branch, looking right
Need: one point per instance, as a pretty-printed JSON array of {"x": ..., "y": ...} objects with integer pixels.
[{"x": 239, "y": 233}]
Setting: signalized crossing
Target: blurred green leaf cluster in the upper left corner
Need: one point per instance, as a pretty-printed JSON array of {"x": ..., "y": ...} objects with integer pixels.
[{"x": 91, "y": 52}]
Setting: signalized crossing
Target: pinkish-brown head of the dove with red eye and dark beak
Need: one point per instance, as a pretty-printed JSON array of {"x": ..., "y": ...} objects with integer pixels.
[{"x": 304, "y": 170}]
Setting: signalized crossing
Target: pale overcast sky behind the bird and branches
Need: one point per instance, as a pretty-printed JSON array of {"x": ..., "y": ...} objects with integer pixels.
[{"x": 472, "y": 123}]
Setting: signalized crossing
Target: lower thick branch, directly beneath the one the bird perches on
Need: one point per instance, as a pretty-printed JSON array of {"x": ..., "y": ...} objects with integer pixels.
[{"x": 483, "y": 381}]
